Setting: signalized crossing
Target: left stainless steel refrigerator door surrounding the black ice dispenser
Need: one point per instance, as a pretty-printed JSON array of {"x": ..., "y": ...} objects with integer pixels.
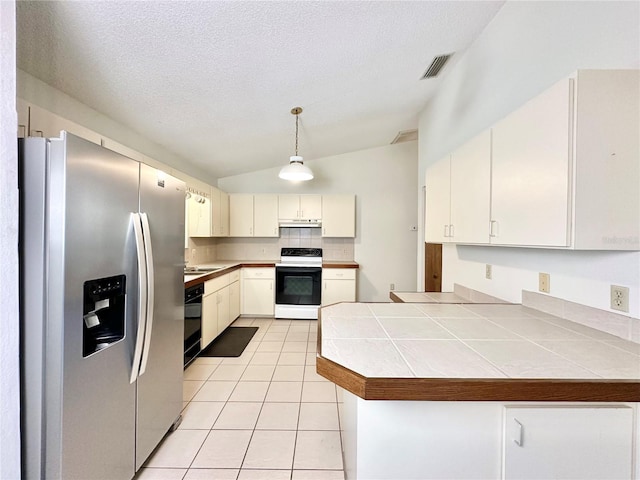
[{"x": 100, "y": 190}]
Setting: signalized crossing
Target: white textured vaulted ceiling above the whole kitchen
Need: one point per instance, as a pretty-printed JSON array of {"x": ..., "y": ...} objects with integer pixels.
[{"x": 214, "y": 82}]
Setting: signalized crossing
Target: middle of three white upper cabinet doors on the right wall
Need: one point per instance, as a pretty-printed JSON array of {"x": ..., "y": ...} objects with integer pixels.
[{"x": 471, "y": 191}]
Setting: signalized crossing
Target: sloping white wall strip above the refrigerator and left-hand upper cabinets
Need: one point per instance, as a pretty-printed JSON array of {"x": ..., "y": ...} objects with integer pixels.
[{"x": 33, "y": 90}]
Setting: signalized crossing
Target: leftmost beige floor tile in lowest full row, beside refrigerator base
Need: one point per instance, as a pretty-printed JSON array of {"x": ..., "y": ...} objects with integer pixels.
[{"x": 178, "y": 449}]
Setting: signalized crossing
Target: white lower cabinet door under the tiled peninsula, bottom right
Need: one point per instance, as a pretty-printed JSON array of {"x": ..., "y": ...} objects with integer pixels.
[{"x": 568, "y": 443}]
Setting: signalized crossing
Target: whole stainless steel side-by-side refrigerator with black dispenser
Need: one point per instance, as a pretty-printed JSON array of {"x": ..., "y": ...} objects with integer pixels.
[{"x": 102, "y": 256}]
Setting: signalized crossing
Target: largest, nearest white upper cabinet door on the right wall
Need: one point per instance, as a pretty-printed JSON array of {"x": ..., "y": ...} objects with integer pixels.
[{"x": 530, "y": 187}]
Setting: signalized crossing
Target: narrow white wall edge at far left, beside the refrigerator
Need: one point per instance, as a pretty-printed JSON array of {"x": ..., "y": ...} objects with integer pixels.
[{"x": 9, "y": 359}]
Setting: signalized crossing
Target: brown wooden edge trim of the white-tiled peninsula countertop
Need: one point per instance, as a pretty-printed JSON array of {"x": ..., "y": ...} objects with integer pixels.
[{"x": 474, "y": 389}]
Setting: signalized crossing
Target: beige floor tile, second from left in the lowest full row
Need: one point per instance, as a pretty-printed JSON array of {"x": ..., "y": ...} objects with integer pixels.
[{"x": 223, "y": 449}]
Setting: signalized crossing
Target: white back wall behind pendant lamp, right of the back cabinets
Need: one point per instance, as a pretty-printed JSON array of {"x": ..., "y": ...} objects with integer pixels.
[{"x": 384, "y": 181}]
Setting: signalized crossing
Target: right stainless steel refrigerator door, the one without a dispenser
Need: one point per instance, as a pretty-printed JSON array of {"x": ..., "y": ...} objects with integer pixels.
[{"x": 162, "y": 199}]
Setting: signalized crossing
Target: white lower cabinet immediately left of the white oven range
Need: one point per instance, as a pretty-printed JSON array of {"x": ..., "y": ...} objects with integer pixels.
[{"x": 258, "y": 291}]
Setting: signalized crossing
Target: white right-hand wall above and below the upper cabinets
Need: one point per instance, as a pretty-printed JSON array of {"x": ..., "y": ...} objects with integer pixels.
[{"x": 526, "y": 48}]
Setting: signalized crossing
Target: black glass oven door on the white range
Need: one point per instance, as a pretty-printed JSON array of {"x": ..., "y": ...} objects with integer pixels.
[{"x": 298, "y": 285}]
